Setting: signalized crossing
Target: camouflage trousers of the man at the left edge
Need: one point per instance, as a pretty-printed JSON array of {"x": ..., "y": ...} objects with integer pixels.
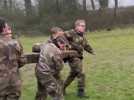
[{"x": 10, "y": 87}]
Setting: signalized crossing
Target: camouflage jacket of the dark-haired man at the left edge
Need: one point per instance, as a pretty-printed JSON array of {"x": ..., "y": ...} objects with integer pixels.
[{"x": 10, "y": 52}]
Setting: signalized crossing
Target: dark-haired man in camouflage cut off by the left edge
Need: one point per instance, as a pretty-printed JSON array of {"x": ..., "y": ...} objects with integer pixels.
[{"x": 10, "y": 52}]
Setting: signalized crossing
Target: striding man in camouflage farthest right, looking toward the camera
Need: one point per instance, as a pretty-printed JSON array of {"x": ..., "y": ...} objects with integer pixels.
[{"x": 78, "y": 43}]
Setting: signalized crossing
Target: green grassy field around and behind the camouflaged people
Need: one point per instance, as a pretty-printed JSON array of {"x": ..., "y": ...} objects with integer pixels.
[{"x": 110, "y": 73}]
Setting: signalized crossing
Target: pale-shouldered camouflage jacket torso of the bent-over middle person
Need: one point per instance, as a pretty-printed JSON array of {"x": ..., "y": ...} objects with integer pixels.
[{"x": 50, "y": 60}]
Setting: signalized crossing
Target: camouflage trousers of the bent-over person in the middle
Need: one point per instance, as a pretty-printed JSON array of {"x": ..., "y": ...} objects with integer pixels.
[{"x": 49, "y": 84}]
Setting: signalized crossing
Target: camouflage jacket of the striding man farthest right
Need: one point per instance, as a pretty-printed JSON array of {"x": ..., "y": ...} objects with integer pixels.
[{"x": 78, "y": 42}]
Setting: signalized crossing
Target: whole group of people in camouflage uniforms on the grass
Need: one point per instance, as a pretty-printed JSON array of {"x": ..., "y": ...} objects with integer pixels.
[{"x": 62, "y": 47}]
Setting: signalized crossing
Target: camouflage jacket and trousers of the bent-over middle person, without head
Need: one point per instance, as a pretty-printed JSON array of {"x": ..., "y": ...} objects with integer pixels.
[{"x": 47, "y": 72}]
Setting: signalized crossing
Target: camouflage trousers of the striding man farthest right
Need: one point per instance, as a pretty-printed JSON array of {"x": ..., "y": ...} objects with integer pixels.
[{"x": 76, "y": 71}]
